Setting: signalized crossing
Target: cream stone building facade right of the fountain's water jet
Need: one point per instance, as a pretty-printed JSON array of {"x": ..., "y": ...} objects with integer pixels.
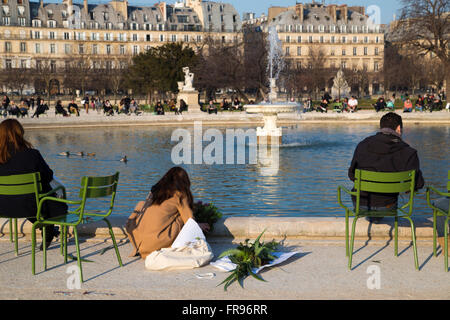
[{"x": 345, "y": 36}]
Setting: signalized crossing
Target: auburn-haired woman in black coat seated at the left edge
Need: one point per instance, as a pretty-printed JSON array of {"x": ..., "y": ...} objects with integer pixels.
[{"x": 17, "y": 156}]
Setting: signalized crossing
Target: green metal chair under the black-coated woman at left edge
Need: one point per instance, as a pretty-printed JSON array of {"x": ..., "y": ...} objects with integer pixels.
[{"x": 22, "y": 184}]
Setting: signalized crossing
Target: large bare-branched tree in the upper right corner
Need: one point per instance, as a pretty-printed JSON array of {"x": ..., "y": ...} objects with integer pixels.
[{"x": 425, "y": 25}]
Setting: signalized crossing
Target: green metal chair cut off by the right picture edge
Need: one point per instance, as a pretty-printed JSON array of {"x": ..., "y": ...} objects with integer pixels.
[{"x": 440, "y": 212}]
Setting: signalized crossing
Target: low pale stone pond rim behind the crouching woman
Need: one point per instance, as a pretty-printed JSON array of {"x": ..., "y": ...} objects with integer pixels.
[{"x": 276, "y": 227}]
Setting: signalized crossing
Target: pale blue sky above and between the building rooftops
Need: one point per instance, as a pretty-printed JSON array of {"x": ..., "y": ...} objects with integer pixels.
[{"x": 388, "y": 7}]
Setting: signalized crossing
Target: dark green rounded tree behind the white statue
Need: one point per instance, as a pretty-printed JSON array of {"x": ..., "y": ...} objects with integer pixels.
[{"x": 159, "y": 68}]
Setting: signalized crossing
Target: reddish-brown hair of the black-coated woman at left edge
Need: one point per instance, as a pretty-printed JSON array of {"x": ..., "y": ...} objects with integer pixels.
[{"x": 11, "y": 139}]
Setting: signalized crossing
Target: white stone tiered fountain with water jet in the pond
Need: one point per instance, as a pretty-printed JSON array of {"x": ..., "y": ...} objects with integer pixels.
[{"x": 270, "y": 132}]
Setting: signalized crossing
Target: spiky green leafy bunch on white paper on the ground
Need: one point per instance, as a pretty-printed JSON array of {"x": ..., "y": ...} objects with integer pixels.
[{"x": 248, "y": 256}]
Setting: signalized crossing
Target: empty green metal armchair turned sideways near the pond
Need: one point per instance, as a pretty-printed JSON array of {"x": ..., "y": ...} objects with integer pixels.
[{"x": 91, "y": 188}]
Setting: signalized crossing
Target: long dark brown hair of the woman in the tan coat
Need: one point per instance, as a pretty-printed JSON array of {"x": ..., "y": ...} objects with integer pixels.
[{"x": 175, "y": 180}]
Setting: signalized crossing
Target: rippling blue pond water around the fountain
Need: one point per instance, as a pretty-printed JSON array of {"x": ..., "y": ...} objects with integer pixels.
[{"x": 313, "y": 160}]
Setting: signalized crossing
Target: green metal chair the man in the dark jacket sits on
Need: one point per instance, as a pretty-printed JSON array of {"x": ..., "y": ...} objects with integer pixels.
[{"x": 380, "y": 182}]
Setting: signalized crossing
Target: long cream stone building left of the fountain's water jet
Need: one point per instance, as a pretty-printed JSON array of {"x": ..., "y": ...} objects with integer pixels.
[{"x": 107, "y": 35}]
